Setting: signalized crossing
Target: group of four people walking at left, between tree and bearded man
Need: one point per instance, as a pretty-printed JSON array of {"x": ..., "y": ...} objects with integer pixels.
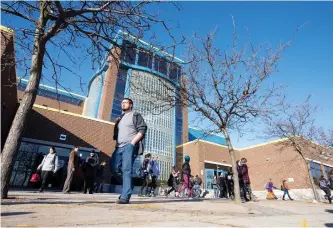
[{"x": 92, "y": 170}]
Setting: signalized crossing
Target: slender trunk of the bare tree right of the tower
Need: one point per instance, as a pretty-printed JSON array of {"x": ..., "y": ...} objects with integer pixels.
[{"x": 234, "y": 166}]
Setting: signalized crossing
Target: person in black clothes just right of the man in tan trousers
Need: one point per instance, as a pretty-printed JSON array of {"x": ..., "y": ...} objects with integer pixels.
[{"x": 90, "y": 166}]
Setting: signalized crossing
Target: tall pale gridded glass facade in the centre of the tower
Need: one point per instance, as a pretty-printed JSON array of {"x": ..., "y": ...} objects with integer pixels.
[{"x": 159, "y": 116}]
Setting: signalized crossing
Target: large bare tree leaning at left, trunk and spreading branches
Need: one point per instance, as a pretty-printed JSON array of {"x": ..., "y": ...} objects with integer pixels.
[{"x": 50, "y": 27}]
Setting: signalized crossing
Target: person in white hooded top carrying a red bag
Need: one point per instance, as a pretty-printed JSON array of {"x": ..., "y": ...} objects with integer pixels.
[{"x": 49, "y": 166}]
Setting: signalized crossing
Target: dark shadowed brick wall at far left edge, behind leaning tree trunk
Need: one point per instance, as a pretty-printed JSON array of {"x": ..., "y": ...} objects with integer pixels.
[{"x": 8, "y": 82}]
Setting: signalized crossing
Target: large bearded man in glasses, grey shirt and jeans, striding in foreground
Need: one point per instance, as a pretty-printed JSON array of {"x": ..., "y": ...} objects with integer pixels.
[{"x": 129, "y": 131}]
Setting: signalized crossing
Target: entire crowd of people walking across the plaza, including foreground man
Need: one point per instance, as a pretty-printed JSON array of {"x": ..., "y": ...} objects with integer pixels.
[{"x": 129, "y": 133}]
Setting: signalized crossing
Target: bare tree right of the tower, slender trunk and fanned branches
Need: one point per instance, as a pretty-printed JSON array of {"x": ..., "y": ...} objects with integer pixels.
[{"x": 226, "y": 88}]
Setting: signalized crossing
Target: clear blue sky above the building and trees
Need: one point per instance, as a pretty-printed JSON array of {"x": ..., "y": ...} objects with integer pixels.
[{"x": 306, "y": 68}]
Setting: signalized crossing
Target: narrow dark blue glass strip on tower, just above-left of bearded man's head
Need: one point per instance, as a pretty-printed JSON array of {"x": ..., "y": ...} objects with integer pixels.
[{"x": 119, "y": 94}]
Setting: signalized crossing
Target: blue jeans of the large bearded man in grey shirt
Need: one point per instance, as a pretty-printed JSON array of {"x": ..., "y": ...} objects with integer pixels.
[{"x": 122, "y": 161}]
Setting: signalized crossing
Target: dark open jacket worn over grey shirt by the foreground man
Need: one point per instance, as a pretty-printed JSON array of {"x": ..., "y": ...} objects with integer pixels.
[{"x": 140, "y": 126}]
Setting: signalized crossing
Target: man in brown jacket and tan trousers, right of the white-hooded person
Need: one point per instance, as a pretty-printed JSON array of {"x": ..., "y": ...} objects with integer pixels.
[{"x": 73, "y": 165}]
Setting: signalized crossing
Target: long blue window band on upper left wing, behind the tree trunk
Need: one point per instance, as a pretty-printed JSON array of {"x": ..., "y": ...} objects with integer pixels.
[{"x": 43, "y": 92}]
